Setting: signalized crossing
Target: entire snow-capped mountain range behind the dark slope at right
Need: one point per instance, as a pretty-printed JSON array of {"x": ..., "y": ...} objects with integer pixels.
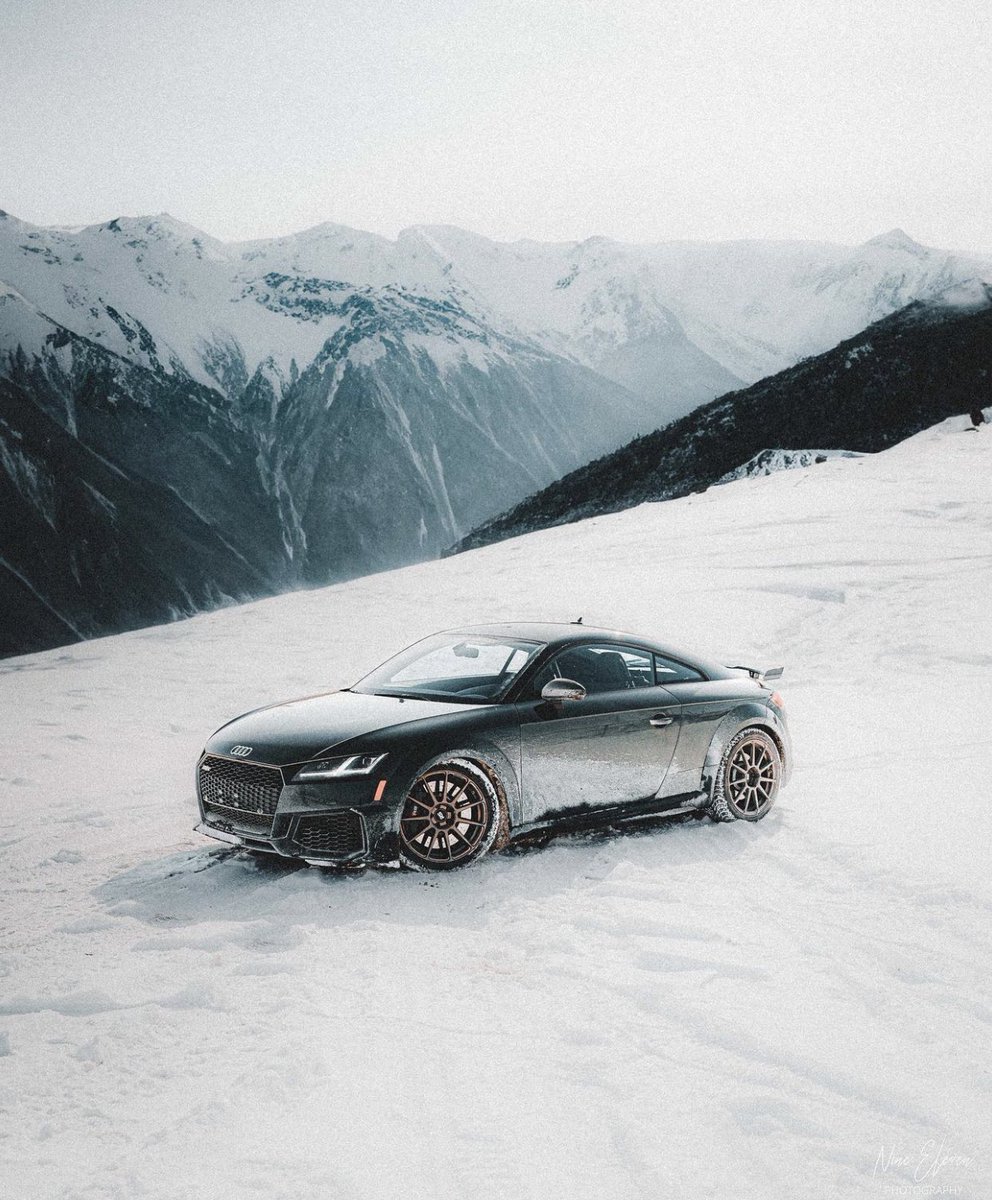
[{"x": 185, "y": 422}]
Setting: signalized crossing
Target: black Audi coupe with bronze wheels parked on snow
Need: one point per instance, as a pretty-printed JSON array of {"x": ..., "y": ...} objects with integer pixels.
[{"x": 489, "y": 734}]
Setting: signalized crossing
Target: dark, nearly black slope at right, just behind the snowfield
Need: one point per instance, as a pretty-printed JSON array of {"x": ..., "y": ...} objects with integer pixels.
[{"x": 906, "y": 373}]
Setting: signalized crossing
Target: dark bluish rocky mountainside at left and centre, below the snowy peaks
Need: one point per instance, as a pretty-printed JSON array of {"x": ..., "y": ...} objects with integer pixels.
[{"x": 149, "y": 470}]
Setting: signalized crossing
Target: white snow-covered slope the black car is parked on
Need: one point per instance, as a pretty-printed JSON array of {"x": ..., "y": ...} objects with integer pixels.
[{"x": 797, "y": 1009}]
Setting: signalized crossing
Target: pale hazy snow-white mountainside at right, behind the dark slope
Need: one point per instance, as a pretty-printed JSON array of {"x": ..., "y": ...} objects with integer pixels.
[{"x": 753, "y": 308}]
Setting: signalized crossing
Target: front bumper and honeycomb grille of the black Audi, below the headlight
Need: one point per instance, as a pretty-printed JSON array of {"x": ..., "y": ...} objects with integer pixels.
[{"x": 252, "y": 806}]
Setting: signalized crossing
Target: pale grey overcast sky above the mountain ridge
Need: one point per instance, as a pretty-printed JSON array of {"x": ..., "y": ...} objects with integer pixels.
[{"x": 551, "y": 119}]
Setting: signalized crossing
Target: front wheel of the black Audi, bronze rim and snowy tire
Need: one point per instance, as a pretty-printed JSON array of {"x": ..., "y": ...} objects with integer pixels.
[{"x": 454, "y": 815}]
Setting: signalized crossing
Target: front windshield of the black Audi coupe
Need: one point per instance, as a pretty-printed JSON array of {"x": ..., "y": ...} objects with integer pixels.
[{"x": 476, "y": 670}]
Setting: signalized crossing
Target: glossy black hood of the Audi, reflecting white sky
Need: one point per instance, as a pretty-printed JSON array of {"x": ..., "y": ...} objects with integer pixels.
[{"x": 306, "y": 729}]
